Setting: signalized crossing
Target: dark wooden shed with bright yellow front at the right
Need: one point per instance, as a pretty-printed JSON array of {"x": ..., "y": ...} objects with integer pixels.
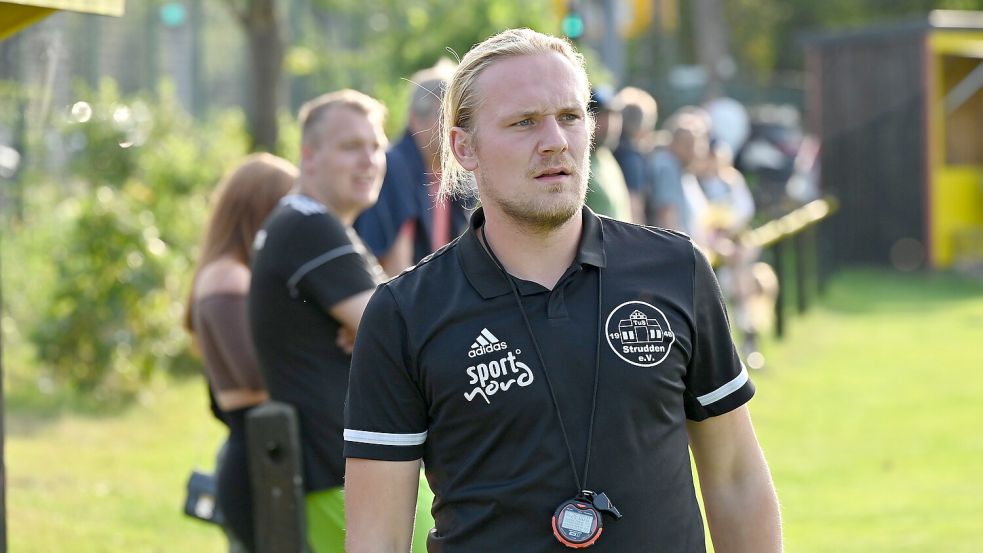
[{"x": 899, "y": 111}]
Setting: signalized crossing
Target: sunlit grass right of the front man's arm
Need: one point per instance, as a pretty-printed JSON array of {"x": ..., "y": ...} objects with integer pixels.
[{"x": 870, "y": 414}]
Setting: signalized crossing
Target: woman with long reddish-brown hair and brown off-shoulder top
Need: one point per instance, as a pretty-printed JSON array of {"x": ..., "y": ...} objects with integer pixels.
[{"x": 217, "y": 320}]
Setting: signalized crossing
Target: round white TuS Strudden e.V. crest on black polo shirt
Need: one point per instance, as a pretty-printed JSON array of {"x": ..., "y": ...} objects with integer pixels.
[{"x": 639, "y": 333}]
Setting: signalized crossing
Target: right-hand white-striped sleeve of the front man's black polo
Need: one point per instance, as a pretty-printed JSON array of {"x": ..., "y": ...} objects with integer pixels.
[{"x": 716, "y": 379}]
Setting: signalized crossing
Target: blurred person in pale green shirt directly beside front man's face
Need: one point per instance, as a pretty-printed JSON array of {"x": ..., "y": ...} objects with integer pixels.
[{"x": 607, "y": 193}]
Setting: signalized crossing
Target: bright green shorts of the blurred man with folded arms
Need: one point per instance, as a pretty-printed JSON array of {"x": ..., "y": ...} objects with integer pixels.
[{"x": 326, "y": 519}]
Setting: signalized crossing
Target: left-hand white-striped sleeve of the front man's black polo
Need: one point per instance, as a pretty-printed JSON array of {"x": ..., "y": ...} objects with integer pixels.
[{"x": 386, "y": 413}]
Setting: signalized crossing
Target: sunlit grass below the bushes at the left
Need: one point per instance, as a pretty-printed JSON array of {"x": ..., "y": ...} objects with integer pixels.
[{"x": 113, "y": 482}]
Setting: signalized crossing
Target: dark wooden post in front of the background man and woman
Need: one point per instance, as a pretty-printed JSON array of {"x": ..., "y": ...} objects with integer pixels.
[{"x": 274, "y": 467}]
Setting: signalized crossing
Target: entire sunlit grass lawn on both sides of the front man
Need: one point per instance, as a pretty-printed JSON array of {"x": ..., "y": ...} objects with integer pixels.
[{"x": 870, "y": 413}]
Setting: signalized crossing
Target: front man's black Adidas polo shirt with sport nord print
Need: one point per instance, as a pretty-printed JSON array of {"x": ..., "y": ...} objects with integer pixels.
[{"x": 444, "y": 369}]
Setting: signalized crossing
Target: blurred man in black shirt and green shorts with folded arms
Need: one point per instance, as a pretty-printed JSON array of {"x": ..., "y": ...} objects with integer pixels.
[{"x": 312, "y": 278}]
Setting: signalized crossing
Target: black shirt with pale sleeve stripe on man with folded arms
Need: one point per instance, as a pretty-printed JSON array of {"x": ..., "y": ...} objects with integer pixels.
[{"x": 305, "y": 261}]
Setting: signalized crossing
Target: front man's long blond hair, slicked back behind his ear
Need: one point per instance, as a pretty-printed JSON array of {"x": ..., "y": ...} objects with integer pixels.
[{"x": 461, "y": 100}]
